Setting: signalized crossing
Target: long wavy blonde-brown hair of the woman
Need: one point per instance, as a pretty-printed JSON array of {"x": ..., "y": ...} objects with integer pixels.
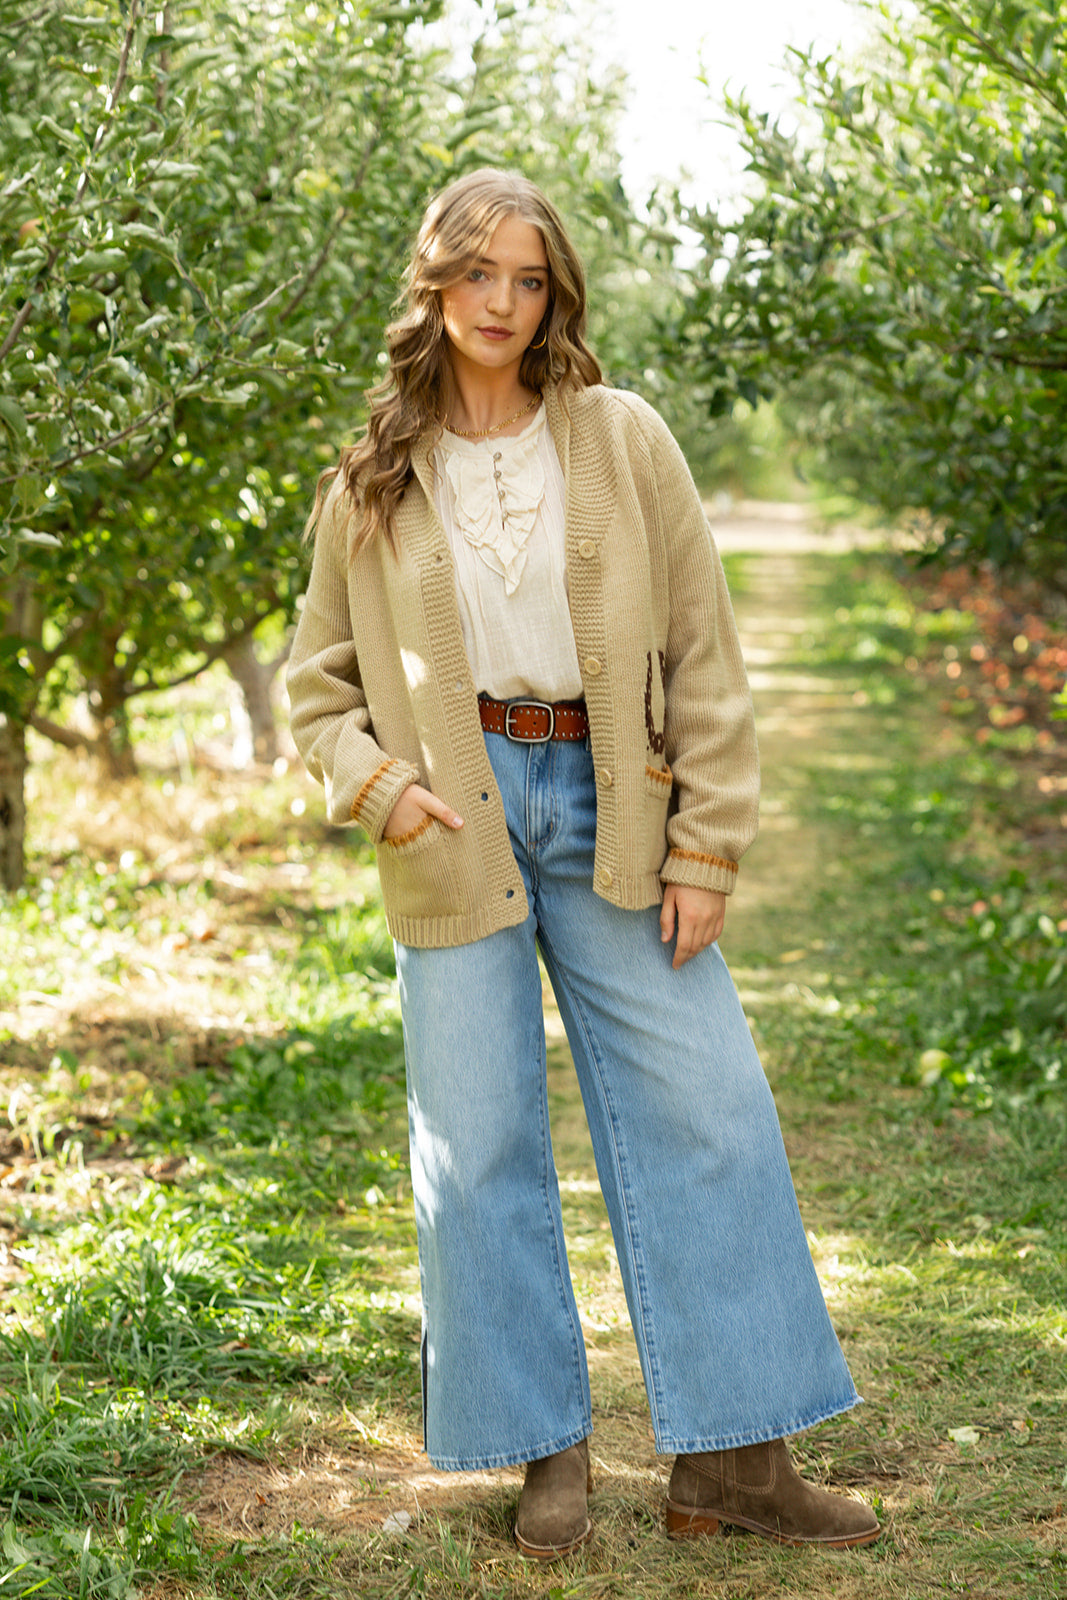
[{"x": 412, "y": 399}]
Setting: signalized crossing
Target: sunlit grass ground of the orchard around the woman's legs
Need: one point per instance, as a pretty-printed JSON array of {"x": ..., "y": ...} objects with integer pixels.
[{"x": 209, "y": 1330}]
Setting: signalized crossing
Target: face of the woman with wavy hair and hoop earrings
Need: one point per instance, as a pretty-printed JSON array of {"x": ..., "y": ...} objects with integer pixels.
[{"x": 495, "y": 311}]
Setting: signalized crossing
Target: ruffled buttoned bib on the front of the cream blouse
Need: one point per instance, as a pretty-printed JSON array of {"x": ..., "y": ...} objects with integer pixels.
[{"x": 498, "y": 534}]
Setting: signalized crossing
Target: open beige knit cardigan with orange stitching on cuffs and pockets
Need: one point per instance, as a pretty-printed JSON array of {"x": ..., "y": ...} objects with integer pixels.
[{"x": 383, "y": 695}]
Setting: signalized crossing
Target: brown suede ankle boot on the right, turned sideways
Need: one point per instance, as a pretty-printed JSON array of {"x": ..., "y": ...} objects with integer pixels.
[{"x": 757, "y": 1489}]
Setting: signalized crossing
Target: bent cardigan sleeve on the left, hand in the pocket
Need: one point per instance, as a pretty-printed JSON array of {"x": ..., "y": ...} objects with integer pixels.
[{"x": 329, "y": 713}]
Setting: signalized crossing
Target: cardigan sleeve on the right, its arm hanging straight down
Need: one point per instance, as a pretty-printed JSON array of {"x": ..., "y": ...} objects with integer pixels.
[{"x": 709, "y": 727}]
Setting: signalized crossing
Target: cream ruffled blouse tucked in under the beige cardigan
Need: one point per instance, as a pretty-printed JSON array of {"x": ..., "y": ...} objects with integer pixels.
[{"x": 502, "y": 503}]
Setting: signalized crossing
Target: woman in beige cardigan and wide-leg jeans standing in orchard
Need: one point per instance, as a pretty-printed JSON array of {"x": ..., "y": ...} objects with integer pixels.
[{"x": 518, "y": 671}]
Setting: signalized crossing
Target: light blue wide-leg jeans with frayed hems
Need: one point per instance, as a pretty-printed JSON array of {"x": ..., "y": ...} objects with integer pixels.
[{"x": 732, "y": 1329}]
